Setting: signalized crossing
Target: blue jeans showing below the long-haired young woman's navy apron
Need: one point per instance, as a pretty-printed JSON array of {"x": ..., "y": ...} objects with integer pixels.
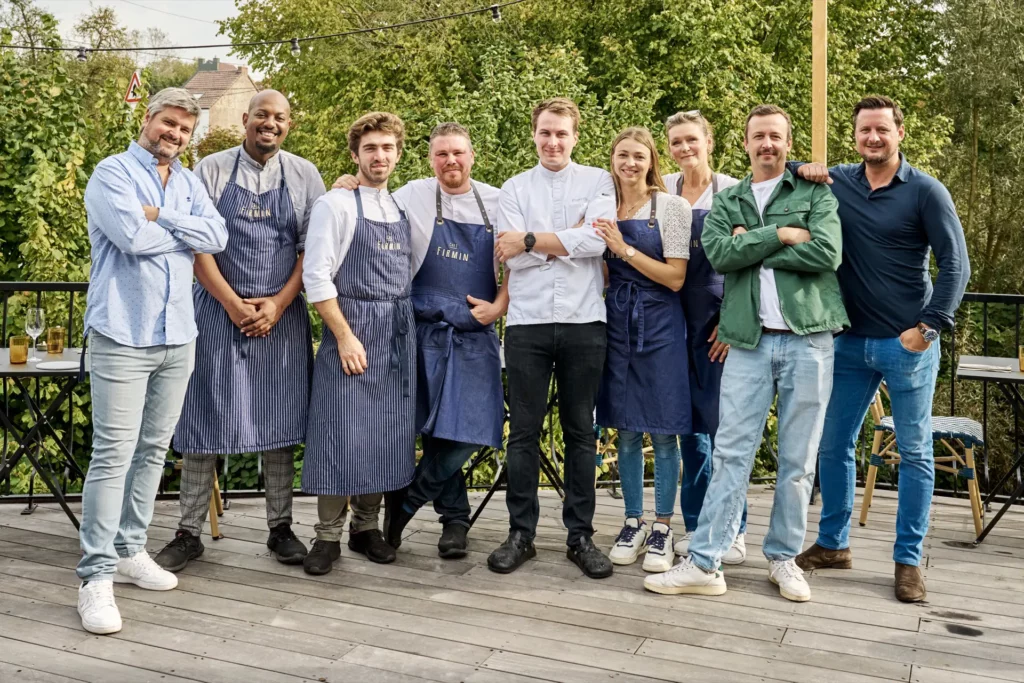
[{"x": 666, "y": 473}]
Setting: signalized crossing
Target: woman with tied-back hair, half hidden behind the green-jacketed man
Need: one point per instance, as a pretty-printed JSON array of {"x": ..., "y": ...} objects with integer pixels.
[{"x": 692, "y": 141}]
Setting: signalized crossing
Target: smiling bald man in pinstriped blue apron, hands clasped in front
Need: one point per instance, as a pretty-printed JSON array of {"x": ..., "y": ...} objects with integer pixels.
[{"x": 250, "y": 391}]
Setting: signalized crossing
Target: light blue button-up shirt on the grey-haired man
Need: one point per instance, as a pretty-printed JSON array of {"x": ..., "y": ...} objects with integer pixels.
[{"x": 142, "y": 276}]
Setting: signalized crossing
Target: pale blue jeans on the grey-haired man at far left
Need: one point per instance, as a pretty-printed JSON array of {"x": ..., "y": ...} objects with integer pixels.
[{"x": 138, "y": 396}]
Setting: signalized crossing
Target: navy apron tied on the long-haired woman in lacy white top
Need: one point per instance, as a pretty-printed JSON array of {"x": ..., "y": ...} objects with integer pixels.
[{"x": 645, "y": 388}]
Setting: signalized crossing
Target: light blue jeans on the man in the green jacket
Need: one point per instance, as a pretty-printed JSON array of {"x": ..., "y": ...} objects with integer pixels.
[{"x": 799, "y": 370}]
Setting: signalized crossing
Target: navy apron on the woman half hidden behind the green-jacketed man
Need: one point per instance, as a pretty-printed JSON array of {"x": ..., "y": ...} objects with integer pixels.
[{"x": 702, "y": 297}]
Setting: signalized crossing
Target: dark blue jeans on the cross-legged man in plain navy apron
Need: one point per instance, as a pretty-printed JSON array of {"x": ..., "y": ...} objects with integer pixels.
[{"x": 439, "y": 479}]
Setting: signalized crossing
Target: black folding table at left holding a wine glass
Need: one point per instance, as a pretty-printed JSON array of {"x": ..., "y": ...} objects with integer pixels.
[{"x": 21, "y": 375}]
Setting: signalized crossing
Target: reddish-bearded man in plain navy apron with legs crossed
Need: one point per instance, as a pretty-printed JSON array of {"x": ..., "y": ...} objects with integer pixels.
[{"x": 457, "y": 302}]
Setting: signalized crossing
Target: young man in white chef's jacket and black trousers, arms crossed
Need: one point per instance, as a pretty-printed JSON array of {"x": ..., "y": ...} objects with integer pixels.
[{"x": 556, "y": 322}]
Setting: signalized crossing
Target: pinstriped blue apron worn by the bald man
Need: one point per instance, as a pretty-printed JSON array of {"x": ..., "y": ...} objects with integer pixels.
[{"x": 249, "y": 395}]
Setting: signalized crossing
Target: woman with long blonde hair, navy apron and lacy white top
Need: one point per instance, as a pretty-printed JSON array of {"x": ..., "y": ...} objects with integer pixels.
[{"x": 646, "y": 388}]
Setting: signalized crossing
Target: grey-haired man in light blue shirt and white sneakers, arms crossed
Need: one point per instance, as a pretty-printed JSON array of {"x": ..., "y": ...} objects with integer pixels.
[{"x": 148, "y": 217}]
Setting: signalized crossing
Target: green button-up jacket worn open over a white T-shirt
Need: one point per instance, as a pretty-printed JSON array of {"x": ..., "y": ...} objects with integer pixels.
[{"x": 805, "y": 274}]
